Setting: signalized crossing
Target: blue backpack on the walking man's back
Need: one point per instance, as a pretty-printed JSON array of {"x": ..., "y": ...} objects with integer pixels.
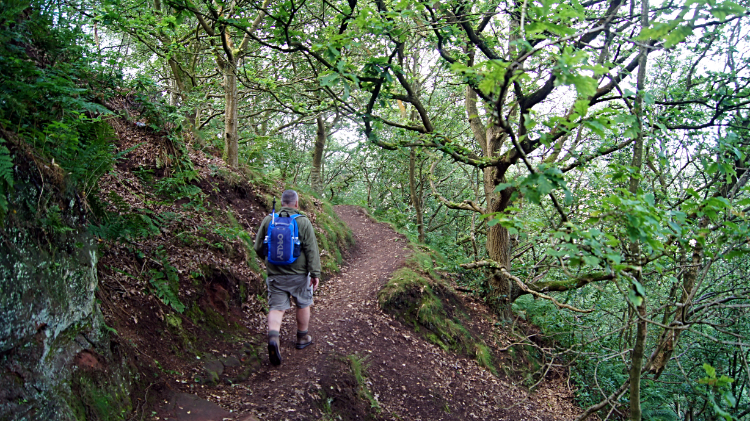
[{"x": 282, "y": 239}]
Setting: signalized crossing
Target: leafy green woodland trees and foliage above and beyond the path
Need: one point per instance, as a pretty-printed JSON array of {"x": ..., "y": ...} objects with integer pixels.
[{"x": 581, "y": 164}]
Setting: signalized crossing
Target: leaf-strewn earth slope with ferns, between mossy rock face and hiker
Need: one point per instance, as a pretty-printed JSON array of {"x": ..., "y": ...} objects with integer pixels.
[{"x": 179, "y": 281}]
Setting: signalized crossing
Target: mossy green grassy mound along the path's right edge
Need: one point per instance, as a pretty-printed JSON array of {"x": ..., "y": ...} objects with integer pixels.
[{"x": 419, "y": 297}]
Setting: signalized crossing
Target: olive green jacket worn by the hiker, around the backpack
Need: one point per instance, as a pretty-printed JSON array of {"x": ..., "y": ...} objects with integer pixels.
[{"x": 308, "y": 260}]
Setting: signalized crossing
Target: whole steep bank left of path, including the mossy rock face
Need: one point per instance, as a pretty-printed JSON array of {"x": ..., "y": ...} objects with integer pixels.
[{"x": 112, "y": 290}]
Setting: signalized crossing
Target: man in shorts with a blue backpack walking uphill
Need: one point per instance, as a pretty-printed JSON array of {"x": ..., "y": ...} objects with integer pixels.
[{"x": 297, "y": 279}]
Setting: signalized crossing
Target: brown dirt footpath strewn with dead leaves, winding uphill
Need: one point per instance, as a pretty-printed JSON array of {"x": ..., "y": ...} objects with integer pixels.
[{"x": 410, "y": 378}]
